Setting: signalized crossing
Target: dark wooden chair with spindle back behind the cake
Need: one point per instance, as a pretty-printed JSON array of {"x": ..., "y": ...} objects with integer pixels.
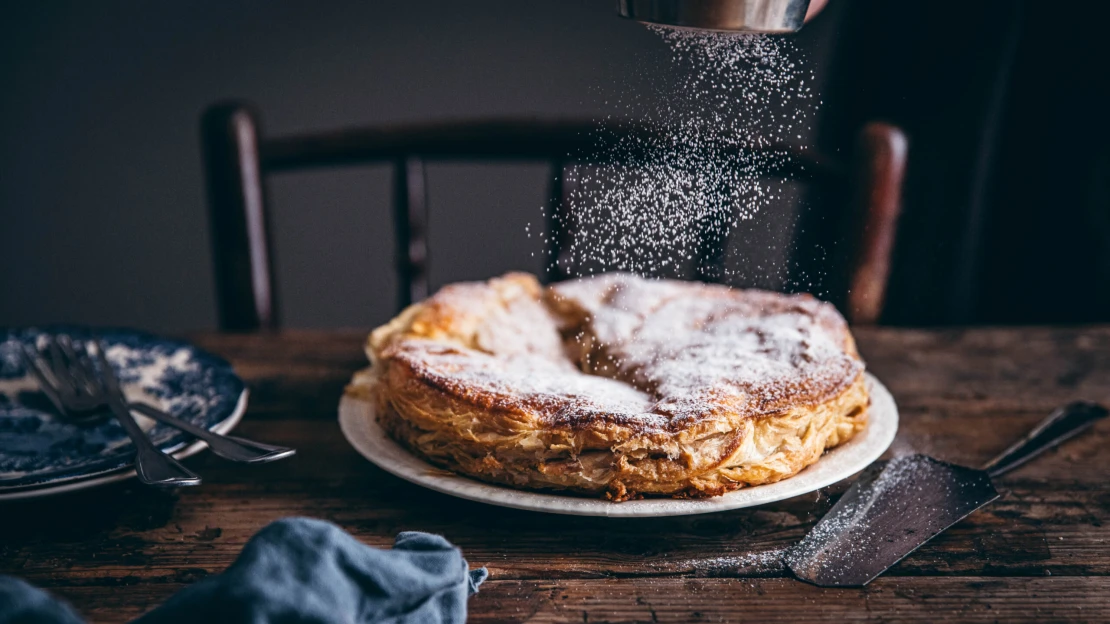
[{"x": 239, "y": 158}]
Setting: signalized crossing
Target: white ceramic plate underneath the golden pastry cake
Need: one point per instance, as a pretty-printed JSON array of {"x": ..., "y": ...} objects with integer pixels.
[{"x": 361, "y": 429}]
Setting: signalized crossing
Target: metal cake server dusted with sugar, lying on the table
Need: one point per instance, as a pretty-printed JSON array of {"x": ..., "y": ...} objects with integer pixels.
[{"x": 896, "y": 507}]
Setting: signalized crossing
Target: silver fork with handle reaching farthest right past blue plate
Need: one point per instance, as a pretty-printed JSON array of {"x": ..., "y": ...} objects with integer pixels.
[{"x": 227, "y": 447}]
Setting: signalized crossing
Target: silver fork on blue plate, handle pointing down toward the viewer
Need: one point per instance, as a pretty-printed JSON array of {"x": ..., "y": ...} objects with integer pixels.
[{"x": 75, "y": 385}]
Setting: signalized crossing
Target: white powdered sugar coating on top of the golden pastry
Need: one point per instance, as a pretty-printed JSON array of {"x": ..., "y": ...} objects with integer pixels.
[{"x": 655, "y": 354}]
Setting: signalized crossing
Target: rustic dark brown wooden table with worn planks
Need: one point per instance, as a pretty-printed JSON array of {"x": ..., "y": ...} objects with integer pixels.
[{"x": 1041, "y": 553}]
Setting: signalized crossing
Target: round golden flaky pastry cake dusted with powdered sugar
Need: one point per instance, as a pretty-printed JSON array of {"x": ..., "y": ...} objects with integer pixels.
[{"x": 617, "y": 386}]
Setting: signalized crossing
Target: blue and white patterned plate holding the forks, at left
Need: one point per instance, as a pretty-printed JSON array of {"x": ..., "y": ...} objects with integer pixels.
[{"x": 42, "y": 454}]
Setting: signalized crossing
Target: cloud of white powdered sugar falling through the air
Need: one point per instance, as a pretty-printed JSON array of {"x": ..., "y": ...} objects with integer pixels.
[{"x": 728, "y": 100}]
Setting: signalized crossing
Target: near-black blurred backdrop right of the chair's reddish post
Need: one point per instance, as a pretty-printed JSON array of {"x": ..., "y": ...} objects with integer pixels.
[{"x": 1007, "y": 213}]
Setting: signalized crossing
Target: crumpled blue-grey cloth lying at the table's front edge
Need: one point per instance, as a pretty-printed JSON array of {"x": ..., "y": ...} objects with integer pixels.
[{"x": 301, "y": 571}]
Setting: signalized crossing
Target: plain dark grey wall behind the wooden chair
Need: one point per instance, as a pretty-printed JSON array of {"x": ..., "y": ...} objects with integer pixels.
[{"x": 102, "y": 189}]
